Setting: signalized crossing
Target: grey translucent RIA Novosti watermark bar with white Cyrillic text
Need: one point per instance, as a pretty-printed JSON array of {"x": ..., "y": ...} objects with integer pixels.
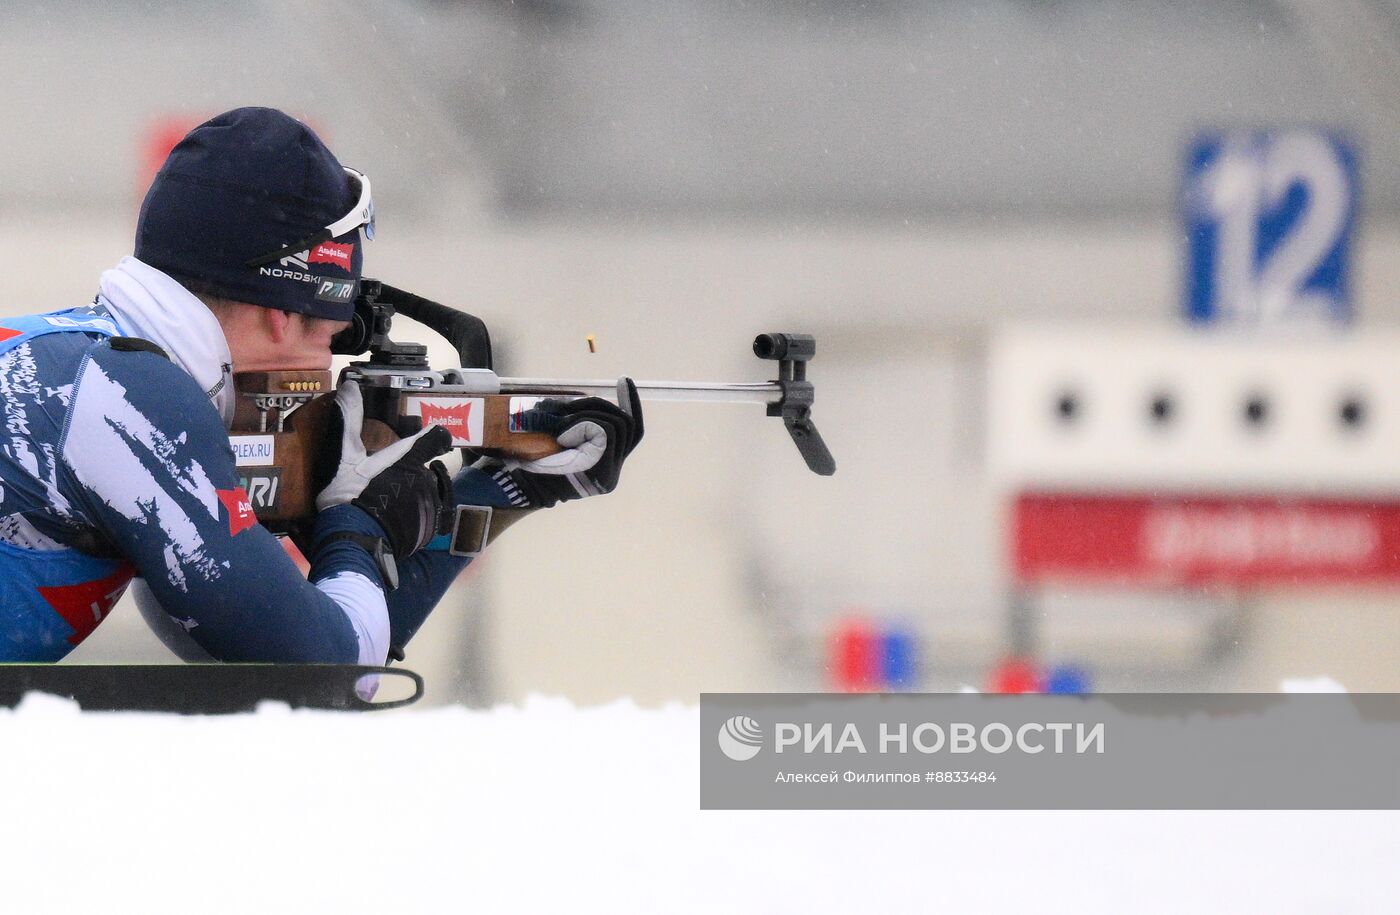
[{"x": 1051, "y": 752}]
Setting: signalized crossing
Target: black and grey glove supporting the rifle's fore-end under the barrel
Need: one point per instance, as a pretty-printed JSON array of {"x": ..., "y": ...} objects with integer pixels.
[{"x": 597, "y": 437}]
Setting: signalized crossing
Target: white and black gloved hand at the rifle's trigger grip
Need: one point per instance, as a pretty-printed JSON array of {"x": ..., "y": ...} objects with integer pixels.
[{"x": 391, "y": 486}]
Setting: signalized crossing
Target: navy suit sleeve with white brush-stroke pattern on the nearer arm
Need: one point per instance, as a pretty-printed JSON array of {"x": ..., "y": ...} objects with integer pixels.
[{"x": 149, "y": 464}]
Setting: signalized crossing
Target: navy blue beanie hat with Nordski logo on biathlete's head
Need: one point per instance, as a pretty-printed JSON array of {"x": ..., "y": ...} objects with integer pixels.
[{"x": 243, "y": 209}]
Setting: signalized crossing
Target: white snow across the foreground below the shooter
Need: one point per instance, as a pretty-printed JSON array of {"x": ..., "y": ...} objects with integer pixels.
[{"x": 555, "y": 809}]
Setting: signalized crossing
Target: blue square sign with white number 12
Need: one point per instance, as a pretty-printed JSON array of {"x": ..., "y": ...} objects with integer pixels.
[{"x": 1270, "y": 216}]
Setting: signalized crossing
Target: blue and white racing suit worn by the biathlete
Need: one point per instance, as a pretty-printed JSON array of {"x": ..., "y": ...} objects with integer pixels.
[{"x": 115, "y": 462}]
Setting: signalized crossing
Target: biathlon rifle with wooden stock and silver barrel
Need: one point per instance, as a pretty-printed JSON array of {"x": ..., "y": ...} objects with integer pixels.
[{"x": 281, "y": 419}]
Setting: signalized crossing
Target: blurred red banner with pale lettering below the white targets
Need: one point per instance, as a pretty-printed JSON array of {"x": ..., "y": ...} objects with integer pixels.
[{"x": 1171, "y": 541}]
